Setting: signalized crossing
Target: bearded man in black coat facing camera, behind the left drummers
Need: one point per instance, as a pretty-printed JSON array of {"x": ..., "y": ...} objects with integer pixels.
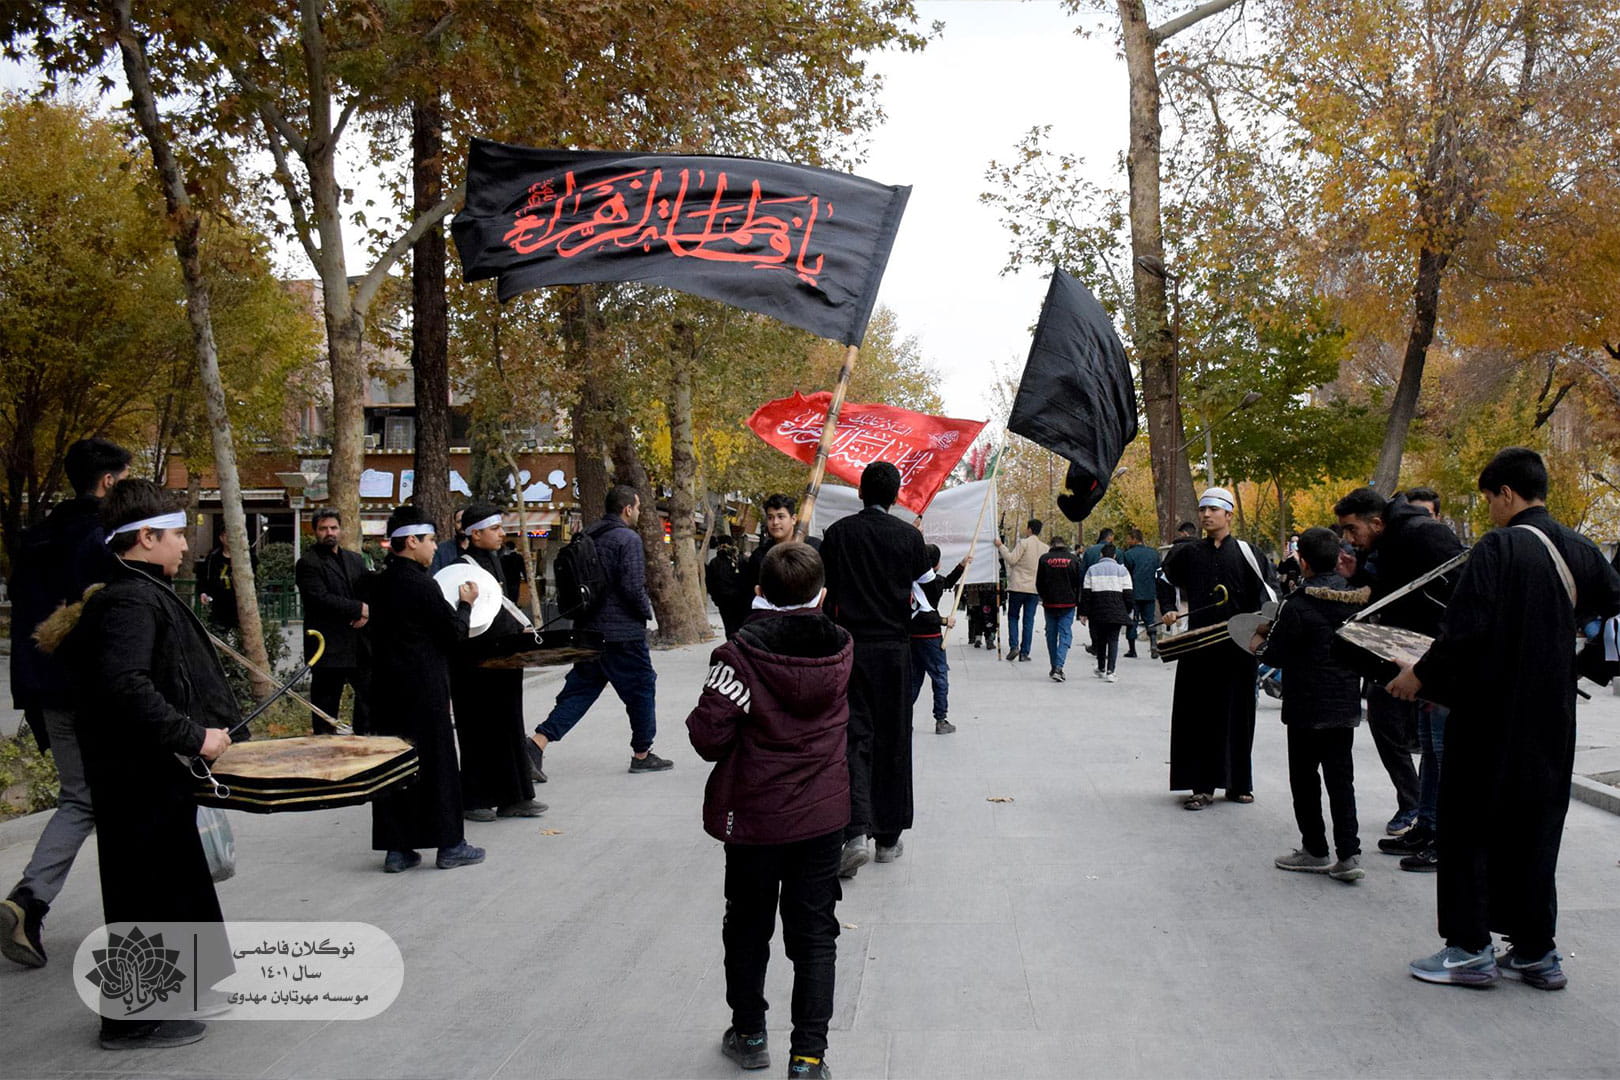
[{"x": 331, "y": 582}]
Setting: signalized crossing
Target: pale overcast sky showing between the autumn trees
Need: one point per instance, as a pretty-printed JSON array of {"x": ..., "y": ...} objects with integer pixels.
[{"x": 1000, "y": 69}]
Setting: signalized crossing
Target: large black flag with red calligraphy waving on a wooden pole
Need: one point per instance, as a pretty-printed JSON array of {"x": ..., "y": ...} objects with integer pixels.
[{"x": 791, "y": 242}]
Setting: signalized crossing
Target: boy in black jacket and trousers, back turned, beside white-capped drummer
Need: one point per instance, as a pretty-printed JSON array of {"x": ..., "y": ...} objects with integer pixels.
[{"x": 1323, "y": 708}]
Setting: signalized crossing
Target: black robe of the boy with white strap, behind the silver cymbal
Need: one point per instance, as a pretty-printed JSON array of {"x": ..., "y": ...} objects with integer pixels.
[{"x": 490, "y": 710}]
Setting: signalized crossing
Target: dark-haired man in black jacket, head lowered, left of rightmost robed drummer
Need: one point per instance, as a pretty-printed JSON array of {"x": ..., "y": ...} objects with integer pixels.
[{"x": 1400, "y": 543}]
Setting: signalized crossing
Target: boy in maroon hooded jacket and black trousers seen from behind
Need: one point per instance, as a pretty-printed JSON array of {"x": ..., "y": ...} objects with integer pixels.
[{"x": 774, "y": 720}]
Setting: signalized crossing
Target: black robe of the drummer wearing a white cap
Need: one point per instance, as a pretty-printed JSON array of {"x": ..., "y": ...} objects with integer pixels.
[{"x": 1213, "y": 718}]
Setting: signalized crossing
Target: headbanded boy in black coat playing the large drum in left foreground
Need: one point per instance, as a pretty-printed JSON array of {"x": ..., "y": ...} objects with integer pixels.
[{"x": 151, "y": 695}]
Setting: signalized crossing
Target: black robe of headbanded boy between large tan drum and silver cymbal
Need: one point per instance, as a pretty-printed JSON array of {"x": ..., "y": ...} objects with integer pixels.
[{"x": 414, "y": 632}]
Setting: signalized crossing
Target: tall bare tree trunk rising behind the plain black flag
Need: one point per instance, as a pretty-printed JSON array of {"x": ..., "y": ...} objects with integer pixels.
[{"x": 1156, "y": 346}]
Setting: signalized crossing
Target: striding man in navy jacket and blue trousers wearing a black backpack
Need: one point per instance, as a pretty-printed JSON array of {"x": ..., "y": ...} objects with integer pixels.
[{"x": 602, "y": 585}]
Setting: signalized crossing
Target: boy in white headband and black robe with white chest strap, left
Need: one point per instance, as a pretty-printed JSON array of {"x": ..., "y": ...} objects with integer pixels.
[{"x": 490, "y": 704}]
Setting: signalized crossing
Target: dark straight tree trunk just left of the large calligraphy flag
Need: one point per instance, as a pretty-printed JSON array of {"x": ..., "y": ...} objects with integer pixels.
[{"x": 430, "y": 321}]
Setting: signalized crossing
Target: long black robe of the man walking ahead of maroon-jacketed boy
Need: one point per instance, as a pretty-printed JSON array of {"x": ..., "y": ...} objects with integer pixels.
[{"x": 872, "y": 561}]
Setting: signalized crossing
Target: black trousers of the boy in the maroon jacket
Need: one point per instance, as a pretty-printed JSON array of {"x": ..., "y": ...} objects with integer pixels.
[{"x": 801, "y": 880}]
